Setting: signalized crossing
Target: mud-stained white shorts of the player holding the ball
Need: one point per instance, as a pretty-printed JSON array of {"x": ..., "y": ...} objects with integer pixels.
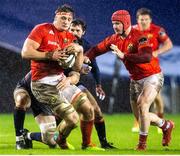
[{"x": 58, "y": 101}]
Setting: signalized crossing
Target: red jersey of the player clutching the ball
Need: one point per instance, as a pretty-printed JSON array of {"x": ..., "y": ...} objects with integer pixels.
[{"x": 49, "y": 39}]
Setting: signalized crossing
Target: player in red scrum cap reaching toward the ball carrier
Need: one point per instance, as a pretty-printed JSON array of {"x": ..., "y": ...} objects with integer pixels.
[{"x": 134, "y": 50}]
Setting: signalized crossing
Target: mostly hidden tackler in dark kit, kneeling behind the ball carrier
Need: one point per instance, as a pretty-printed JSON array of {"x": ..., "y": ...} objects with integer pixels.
[{"x": 43, "y": 115}]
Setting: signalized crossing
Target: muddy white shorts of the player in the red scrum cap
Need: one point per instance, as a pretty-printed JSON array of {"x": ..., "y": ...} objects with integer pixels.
[{"x": 136, "y": 86}]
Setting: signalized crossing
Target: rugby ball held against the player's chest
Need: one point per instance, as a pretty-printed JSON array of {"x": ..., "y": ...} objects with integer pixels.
[{"x": 67, "y": 63}]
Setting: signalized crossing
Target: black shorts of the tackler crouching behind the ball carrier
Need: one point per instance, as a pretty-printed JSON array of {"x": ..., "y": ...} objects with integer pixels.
[{"x": 36, "y": 106}]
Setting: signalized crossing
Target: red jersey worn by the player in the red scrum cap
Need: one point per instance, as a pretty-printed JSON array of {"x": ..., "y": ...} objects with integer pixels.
[{"x": 132, "y": 44}]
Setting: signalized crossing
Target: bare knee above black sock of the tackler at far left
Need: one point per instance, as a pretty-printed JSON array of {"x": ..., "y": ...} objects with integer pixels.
[{"x": 22, "y": 100}]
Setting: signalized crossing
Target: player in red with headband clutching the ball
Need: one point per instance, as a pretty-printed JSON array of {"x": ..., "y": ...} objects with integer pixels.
[{"x": 45, "y": 44}]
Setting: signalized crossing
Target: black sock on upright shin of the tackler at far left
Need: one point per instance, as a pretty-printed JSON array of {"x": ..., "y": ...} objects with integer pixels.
[{"x": 19, "y": 117}]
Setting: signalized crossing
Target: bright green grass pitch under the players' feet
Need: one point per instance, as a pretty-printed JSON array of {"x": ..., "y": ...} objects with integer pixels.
[{"x": 118, "y": 131}]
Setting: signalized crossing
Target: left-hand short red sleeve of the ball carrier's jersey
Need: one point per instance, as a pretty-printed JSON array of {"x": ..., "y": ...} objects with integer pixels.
[{"x": 37, "y": 34}]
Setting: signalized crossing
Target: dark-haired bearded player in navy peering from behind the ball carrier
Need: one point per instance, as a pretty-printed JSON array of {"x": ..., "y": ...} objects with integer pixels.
[{"x": 78, "y": 28}]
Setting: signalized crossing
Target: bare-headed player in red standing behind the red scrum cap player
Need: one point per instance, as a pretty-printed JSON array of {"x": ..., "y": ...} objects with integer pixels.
[{"x": 160, "y": 43}]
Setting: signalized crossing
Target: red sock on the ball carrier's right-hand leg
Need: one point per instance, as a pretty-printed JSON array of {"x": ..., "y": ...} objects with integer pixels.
[{"x": 86, "y": 130}]
